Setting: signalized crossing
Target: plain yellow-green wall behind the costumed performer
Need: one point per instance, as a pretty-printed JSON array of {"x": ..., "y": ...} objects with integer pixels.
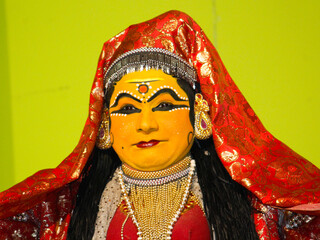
[{"x": 49, "y": 51}]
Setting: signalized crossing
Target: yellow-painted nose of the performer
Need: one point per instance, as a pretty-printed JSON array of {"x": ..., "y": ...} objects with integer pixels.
[{"x": 147, "y": 122}]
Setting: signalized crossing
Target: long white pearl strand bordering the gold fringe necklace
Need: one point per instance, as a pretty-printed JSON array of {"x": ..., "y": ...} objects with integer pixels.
[{"x": 176, "y": 216}]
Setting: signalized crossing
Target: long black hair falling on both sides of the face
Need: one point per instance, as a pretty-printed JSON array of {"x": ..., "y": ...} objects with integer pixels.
[{"x": 226, "y": 203}]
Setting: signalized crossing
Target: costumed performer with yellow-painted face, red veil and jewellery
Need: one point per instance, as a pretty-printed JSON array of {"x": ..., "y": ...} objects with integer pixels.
[{"x": 171, "y": 150}]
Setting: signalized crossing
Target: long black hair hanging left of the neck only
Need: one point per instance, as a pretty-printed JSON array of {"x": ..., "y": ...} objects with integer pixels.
[{"x": 97, "y": 173}]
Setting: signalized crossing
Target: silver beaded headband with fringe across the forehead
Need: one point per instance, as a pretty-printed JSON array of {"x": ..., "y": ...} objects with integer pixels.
[{"x": 146, "y": 59}]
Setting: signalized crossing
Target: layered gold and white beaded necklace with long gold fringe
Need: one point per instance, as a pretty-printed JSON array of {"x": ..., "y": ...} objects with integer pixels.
[{"x": 156, "y": 203}]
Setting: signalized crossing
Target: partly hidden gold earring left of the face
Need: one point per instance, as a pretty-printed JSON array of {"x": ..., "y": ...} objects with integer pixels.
[{"x": 103, "y": 138}]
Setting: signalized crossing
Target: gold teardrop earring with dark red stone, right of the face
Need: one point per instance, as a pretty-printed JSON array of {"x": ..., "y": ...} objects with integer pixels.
[{"x": 202, "y": 124}]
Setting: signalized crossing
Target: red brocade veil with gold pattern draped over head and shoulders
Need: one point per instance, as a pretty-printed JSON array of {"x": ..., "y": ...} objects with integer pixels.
[{"x": 276, "y": 175}]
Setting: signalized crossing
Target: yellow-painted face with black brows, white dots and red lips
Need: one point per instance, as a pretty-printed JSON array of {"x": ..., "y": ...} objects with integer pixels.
[{"x": 150, "y": 122}]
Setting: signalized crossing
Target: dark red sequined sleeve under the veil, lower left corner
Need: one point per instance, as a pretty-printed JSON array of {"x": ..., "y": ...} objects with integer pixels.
[{"x": 47, "y": 220}]
